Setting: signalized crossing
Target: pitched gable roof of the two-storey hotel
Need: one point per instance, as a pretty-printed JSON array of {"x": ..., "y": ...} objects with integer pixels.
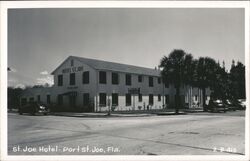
[{"x": 118, "y": 67}]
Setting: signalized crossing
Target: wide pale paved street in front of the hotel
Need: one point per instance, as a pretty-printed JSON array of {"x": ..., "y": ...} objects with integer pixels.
[{"x": 196, "y": 133}]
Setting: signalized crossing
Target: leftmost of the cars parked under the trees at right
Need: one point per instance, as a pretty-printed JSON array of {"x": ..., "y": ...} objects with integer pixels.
[{"x": 216, "y": 106}]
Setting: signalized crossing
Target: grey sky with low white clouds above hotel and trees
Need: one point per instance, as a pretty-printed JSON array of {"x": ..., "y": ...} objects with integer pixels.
[{"x": 39, "y": 40}]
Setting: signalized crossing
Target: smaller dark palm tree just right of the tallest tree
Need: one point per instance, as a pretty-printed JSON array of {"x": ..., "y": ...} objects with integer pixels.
[{"x": 205, "y": 75}]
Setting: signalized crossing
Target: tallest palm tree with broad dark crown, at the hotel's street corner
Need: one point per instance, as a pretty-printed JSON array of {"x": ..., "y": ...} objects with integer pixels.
[{"x": 177, "y": 70}]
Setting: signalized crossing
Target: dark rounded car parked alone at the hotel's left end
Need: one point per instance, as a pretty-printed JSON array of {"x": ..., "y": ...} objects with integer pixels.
[{"x": 34, "y": 108}]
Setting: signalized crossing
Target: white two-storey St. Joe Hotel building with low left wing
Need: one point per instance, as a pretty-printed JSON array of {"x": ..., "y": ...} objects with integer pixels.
[{"x": 95, "y": 85}]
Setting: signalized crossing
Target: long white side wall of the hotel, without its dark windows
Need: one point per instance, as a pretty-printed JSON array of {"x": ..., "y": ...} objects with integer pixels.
[{"x": 122, "y": 90}]
